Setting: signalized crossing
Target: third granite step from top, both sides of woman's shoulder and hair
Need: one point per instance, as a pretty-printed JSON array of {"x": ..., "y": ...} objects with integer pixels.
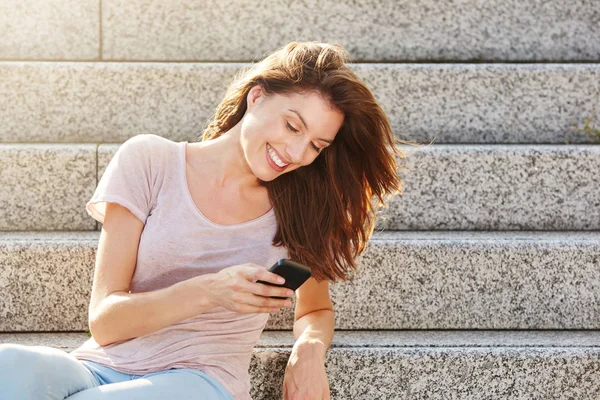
[{"x": 446, "y": 187}]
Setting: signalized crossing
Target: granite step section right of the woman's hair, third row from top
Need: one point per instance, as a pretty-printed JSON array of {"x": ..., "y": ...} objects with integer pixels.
[{"x": 500, "y": 187}]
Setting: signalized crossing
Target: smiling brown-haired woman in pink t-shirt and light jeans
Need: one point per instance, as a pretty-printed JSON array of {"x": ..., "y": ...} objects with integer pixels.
[{"x": 295, "y": 163}]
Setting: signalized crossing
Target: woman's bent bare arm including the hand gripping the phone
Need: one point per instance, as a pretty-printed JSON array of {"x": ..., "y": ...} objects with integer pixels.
[{"x": 116, "y": 315}]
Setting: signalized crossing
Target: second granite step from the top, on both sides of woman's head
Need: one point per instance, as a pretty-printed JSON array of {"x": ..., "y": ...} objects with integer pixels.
[{"x": 88, "y": 102}]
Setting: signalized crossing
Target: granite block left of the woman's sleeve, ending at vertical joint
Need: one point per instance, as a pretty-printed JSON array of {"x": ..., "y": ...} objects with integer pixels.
[{"x": 45, "y": 186}]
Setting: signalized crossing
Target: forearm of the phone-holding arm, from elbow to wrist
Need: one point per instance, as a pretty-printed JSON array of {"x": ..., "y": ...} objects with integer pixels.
[{"x": 123, "y": 316}]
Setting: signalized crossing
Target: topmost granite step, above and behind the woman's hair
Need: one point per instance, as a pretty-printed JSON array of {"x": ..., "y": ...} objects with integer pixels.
[{"x": 470, "y": 30}]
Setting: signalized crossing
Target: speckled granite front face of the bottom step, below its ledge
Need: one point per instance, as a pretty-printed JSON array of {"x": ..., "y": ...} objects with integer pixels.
[{"x": 443, "y": 373}]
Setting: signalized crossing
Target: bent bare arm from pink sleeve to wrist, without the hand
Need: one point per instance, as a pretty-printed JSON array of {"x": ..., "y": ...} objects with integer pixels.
[{"x": 114, "y": 313}]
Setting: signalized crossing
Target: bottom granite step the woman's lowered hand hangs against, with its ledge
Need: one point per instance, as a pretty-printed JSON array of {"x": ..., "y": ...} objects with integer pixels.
[{"x": 422, "y": 364}]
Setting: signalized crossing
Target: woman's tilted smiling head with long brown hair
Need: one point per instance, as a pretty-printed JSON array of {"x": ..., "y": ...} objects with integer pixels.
[{"x": 313, "y": 134}]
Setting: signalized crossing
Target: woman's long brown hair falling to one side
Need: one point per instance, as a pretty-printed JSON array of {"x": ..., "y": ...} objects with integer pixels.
[{"x": 326, "y": 211}]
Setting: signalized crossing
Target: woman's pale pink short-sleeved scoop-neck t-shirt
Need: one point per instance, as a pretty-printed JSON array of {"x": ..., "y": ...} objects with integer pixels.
[{"x": 147, "y": 176}]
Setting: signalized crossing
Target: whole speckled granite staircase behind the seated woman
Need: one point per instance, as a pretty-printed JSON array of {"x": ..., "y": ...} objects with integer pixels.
[{"x": 482, "y": 282}]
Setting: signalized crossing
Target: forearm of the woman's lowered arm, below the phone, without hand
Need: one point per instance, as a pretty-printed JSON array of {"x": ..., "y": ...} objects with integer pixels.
[{"x": 314, "y": 332}]
